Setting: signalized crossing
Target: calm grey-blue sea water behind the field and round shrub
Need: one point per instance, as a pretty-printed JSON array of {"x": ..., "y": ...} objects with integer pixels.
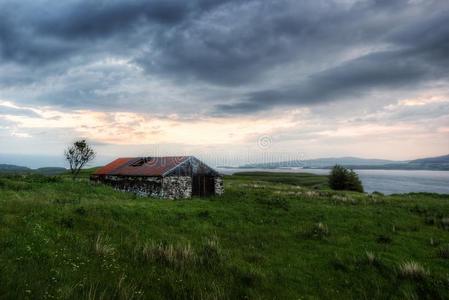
[{"x": 385, "y": 181}]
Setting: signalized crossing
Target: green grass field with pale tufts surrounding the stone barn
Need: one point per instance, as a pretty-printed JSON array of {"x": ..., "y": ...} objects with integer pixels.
[{"x": 271, "y": 236}]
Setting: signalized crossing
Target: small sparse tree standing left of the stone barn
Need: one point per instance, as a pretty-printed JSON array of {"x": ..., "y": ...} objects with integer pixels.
[{"x": 78, "y": 155}]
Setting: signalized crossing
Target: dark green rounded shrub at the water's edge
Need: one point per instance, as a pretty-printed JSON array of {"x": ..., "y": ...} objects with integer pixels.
[{"x": 341, "y": 178}]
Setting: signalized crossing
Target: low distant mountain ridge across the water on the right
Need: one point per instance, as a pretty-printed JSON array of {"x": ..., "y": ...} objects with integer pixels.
[{"x": 431, "y": 163}]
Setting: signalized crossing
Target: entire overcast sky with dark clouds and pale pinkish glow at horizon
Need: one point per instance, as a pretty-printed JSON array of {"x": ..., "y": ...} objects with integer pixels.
[{"x": 227, "y": 80}]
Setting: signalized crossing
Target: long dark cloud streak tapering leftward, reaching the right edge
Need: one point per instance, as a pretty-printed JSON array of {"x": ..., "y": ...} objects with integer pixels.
[{"x": 391, "y": 69}]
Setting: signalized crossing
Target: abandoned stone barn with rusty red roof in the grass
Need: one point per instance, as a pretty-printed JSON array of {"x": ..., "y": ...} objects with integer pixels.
[{"x": 169, "y": 177}]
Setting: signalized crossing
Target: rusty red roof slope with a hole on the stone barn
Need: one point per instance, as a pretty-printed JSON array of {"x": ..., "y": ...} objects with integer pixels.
[{"x": 142, "y": 166}]
